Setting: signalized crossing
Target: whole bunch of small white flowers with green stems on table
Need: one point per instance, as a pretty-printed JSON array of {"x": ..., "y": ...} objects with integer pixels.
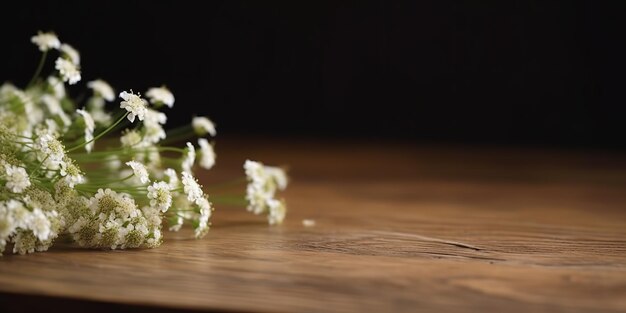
[{"x": 62, "y": 172}]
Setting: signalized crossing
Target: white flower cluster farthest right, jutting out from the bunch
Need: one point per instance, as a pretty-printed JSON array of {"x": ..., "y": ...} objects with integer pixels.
[{"x": 263, "y": 182}]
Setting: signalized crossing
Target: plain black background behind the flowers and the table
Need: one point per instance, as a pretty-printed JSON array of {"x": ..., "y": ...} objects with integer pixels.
[{"x": 548, "y": 73}]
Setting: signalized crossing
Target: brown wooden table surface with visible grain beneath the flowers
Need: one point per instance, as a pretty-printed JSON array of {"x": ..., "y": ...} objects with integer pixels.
[{"x": 398, "y": 228}]
